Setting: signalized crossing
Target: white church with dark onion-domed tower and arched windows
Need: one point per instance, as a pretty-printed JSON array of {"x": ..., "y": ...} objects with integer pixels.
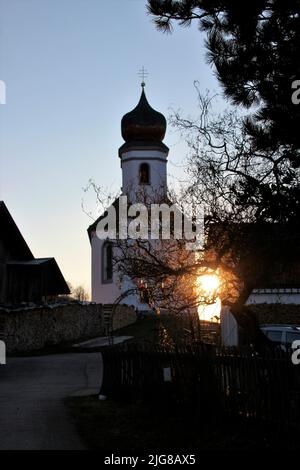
[{"x": 143, "y": 159}]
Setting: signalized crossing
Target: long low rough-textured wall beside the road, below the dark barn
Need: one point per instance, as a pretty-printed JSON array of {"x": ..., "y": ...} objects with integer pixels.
[{"x": 36, "y": 328}]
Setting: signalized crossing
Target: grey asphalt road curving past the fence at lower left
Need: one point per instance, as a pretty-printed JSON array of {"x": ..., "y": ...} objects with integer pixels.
[{"x": 32, "y": 413}]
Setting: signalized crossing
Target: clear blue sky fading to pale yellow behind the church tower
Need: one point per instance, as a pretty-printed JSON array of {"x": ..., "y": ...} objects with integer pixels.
[{"x": 71, "y": 72}]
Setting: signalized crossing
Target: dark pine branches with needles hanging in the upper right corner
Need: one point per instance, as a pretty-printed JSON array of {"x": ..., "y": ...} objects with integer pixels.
[{"x": 255, "y": 49}]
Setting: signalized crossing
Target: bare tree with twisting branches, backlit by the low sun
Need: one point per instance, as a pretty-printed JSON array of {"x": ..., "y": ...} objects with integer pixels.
[{"x": 243, "y": 195}]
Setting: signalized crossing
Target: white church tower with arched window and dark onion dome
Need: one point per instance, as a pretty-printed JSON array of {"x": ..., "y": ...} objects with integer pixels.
[{"x": 143, "y": 155}]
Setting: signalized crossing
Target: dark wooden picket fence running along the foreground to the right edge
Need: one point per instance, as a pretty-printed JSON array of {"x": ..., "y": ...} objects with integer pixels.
[{"x": 212, "y": 382}]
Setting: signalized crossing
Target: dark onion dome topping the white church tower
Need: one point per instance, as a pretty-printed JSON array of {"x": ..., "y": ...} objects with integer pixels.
[{"x": 143, "y": 123}]
